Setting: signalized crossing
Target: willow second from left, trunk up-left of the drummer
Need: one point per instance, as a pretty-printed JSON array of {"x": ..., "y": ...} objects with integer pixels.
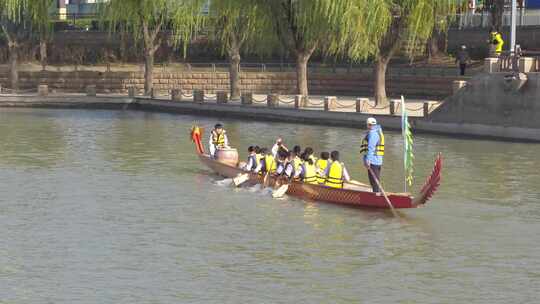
[{"x": 144, "y": 20}]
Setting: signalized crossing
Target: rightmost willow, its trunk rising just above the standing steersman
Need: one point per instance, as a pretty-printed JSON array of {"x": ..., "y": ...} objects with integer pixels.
[{"x": 400, "y": 23}]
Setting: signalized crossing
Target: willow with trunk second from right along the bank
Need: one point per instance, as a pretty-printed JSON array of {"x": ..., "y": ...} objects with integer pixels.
[{"x": 304, "y": 26}]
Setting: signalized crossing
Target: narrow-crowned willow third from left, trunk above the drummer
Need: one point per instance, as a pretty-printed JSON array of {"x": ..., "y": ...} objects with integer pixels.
[{"x": 239, "y": 25}]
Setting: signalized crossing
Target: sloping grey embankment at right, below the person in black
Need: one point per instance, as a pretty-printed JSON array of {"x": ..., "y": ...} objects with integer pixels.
[{"x": 490, "y": 99}]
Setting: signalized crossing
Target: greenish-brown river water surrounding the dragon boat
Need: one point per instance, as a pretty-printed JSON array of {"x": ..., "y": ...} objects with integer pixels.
[{"x": 114, "y": 207}]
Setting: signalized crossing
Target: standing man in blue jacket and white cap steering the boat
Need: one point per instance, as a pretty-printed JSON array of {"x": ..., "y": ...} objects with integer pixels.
[{"x": 373, "y": 149}]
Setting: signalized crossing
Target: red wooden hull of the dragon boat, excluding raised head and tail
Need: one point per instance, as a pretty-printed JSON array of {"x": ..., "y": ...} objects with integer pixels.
[{"x": 316, "y": 192}]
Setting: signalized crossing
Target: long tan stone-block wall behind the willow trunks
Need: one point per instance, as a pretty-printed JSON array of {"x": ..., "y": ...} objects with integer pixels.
[{"x": 348, "y": 84}]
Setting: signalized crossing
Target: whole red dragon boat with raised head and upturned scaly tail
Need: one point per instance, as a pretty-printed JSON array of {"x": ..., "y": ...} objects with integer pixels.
[{"x": 356, "y": 197}]
